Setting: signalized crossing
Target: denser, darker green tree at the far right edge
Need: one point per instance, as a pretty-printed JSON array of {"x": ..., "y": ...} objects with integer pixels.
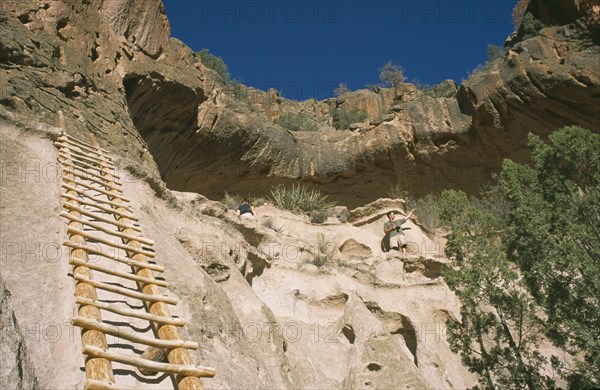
[{"x": 553, "y": 233}]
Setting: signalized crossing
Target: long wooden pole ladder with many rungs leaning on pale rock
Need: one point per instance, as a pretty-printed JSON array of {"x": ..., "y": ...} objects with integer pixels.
[{"x": 114, "y": 270}]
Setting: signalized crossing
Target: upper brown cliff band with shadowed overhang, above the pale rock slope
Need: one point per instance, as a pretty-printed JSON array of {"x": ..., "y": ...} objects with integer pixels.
[{"x": 113, "y": 71}]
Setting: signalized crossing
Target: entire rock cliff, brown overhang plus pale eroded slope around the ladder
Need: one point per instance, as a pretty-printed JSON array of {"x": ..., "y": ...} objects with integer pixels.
[{"x": 371, "y": 319}]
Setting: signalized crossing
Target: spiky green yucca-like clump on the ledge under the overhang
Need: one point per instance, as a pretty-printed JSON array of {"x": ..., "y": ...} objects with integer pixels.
[{"x": 299, "y": 198}]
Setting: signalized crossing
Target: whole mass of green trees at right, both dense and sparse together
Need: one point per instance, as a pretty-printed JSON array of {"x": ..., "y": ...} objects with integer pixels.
[{"x": 528, "y": 249}]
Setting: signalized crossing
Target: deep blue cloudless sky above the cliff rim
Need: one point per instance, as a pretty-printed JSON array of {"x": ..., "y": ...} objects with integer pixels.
[{"x": 305, "y": 48}]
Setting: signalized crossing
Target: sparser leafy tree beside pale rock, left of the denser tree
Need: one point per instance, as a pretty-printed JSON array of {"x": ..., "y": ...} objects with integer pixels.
[{"x": 496, "y": 334}]
